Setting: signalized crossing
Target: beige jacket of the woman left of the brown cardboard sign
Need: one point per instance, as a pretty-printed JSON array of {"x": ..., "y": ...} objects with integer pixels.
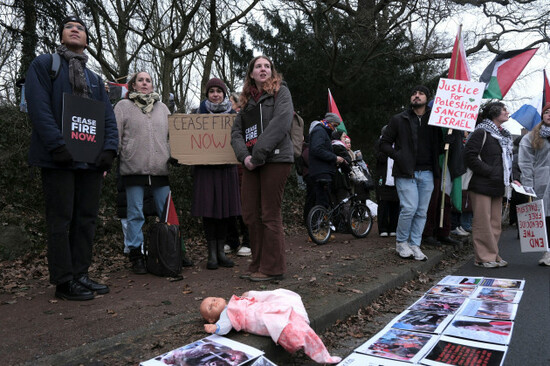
[{"x": 143, "y": 147}]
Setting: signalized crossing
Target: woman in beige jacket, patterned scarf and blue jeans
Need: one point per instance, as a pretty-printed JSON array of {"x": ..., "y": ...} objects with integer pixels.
[{"x": 144, "y": 152}]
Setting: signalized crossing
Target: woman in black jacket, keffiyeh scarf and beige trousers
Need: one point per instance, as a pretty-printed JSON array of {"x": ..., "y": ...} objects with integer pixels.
[{"x": 488, "y": 153}]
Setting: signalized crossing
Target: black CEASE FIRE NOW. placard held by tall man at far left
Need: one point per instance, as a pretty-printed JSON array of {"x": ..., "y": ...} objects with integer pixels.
[{"x": 83, "y": 125}]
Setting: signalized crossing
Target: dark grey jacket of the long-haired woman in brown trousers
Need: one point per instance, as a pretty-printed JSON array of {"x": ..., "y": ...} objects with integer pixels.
[{"x": 274, "y": 144}]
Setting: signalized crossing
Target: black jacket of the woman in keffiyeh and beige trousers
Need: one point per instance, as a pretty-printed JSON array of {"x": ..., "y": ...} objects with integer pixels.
[{"x": 488, "y": 172}]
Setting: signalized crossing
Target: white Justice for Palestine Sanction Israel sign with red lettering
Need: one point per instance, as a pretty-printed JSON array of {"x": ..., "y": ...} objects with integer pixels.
[{"x": 456, "y": 104}]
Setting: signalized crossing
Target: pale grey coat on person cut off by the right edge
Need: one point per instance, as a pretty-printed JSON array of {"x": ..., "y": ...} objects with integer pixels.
[{"x": 535, "y": 169}]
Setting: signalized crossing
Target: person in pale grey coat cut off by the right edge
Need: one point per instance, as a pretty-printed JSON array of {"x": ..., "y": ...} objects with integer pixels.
[{"x": 534, "y": 162}]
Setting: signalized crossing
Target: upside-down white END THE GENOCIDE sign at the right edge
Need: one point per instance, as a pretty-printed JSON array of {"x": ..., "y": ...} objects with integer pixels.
[{"x": 532, "y": 227}]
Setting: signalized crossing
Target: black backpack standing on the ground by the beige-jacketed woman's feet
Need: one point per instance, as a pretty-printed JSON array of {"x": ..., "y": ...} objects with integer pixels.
[{"x": 163, "y": 250}]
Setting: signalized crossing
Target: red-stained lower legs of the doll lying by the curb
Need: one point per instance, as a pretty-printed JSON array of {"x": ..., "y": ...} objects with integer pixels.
[{"x": 298, "y": 334}]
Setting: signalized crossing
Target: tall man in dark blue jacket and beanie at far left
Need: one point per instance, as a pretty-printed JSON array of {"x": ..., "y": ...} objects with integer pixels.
[{"x": 71, "y": 187}]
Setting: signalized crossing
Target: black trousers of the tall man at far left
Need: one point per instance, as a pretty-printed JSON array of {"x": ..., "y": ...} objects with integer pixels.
[{"x": 72, "y": 203}]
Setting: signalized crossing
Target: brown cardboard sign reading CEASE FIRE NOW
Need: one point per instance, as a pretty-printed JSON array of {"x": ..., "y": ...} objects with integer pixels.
[{"x": 202, "y": 139}]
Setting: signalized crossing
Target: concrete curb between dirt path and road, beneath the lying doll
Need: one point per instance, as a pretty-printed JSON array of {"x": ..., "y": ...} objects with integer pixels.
[{"x": 323, "y": 313}]
